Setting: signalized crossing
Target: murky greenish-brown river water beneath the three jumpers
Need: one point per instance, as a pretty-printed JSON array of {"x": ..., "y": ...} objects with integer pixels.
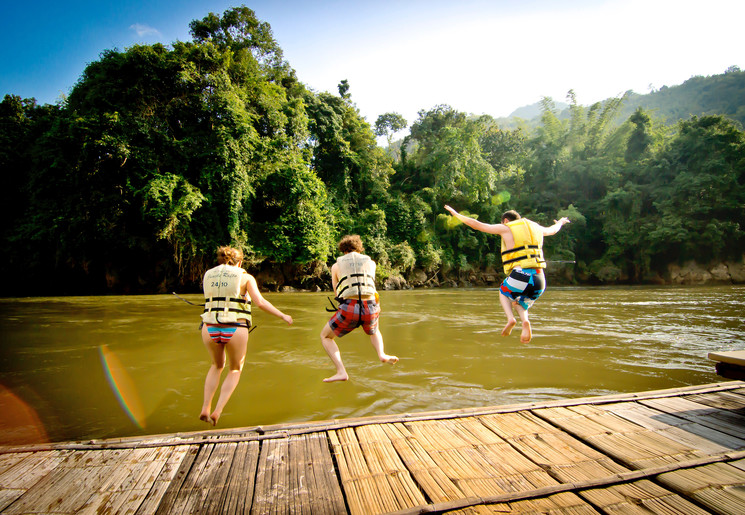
[{"x": 74, "y": 368}]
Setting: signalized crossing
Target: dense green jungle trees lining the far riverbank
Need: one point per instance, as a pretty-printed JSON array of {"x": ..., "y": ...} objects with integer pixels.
[{"x": 160, "y": 154}]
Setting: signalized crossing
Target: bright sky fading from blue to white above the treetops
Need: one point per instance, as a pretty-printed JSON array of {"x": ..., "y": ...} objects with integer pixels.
[{"x": 408, "y": 55}]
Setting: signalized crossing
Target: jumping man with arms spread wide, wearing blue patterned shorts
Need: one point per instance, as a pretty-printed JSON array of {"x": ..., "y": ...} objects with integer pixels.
[{"x": 522, "y": 259}]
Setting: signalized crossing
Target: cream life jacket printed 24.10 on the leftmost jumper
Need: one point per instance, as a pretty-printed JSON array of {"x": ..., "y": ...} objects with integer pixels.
[{"x": 222, "y": 294}]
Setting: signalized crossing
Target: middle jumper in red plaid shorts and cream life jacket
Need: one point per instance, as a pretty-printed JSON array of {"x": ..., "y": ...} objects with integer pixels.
[{"x": 353, "y": 280}]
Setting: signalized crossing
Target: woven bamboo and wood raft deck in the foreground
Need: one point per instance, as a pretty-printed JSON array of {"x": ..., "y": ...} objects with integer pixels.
[{"x": 669, "y": 451}]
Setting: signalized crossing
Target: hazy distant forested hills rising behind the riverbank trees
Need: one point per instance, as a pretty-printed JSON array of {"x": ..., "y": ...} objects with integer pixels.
[{"x": 716, "y": 94}]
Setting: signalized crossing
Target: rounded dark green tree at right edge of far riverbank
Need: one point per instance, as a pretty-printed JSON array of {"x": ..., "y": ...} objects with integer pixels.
[{"x": 699, "y": 194}]
